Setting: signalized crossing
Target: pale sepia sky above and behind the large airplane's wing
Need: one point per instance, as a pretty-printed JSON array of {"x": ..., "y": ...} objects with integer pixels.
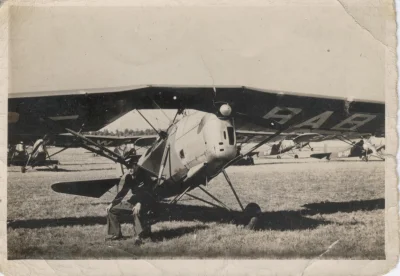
[{"x": 329, "y": 48}]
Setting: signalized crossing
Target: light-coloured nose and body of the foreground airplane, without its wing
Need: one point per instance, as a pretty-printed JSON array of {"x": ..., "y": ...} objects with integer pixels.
[{"x": 195, "y": 149}]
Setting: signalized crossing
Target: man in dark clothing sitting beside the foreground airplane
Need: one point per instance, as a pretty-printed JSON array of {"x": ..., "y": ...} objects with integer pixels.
[{"x": 141, "y": 205}]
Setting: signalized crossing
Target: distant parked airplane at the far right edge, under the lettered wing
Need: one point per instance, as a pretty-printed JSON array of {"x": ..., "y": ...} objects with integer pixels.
[{"x": 362, "y": 149}]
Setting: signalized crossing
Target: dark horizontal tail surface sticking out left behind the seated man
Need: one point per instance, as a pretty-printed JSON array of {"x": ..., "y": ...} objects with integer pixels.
[{"x": 89, "y": 188}]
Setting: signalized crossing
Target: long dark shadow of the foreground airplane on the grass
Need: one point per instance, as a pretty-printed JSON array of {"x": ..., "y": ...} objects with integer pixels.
[{"x": 277, "y": 220}]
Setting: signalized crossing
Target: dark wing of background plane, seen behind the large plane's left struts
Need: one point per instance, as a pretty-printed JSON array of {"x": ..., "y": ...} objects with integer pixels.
[{"x": 68, "y": 140}]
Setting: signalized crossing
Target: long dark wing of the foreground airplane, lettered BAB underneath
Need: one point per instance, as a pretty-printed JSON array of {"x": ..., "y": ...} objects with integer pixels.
[{"x": 37, "y": 113}]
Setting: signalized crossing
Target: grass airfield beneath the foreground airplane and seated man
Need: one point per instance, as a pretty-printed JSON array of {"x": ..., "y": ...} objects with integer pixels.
[{"x": 311, "y": 208}]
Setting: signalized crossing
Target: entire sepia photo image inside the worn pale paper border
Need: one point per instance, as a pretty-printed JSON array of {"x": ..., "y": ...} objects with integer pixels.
[{"x": 198, "y": 132}]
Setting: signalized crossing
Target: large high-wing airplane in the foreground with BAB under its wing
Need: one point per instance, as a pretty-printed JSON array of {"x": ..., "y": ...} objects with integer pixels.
[{"x": 194, "y": 150}]
